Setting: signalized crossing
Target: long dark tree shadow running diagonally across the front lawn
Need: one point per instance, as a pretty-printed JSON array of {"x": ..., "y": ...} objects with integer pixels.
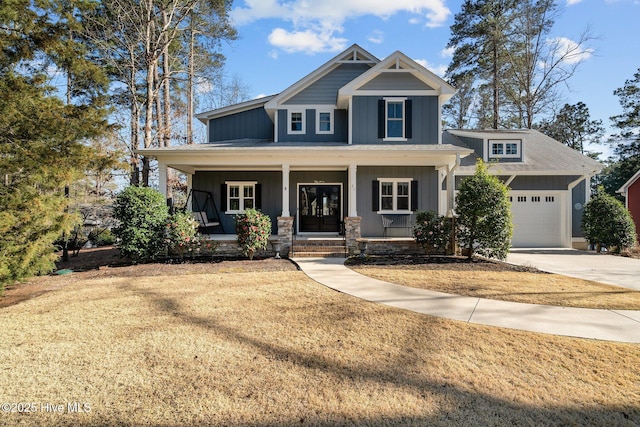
[{"x": 458, "y": 406}]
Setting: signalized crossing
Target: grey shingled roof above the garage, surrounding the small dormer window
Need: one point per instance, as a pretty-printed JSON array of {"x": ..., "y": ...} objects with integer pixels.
[{"x": 542, "y": 154}]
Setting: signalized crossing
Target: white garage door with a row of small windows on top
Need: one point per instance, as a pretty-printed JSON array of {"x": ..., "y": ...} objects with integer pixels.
[{"x": 537, "y": 220}]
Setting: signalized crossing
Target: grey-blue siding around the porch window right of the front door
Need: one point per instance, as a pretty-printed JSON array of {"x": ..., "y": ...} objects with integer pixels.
[{"x": 426, "y": 176}]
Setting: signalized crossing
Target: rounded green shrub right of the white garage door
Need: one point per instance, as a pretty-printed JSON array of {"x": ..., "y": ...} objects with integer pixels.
[{"x": 607, "y": 223}]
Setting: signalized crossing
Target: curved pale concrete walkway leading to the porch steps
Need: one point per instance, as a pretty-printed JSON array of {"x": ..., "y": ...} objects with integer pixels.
[{"x": 610, "y": 325}]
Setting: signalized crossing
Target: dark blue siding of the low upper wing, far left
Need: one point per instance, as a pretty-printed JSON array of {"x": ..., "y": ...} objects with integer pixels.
[{"x": 252, "y": 124}]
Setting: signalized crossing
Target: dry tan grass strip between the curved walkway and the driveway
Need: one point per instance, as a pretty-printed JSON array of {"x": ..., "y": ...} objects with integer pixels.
[{"x": 500, "y": 282}]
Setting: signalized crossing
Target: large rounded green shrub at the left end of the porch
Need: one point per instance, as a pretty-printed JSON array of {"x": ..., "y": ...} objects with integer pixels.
[{"x": 142, "y": 213}]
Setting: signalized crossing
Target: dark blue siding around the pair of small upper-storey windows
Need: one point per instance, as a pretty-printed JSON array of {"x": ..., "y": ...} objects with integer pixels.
[{"x": 340, "y": 123}]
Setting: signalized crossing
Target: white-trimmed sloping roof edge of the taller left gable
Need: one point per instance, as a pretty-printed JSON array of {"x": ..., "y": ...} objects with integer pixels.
[{"x": 353, "y": 55}]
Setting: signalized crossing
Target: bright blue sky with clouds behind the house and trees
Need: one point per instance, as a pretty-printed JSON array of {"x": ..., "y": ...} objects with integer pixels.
[{"x": 282, "y": 41}]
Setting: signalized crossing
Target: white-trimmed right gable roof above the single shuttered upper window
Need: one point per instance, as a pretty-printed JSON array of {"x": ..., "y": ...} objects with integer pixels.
[{"x": 396, "y": 63}]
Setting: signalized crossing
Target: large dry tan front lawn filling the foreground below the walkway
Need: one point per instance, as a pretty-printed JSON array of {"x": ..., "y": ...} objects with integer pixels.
[{"x": 258, "y": 349}]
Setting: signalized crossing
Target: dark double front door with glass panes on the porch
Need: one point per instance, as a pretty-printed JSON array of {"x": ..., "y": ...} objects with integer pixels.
[{"x": 319, "y": 208}]
